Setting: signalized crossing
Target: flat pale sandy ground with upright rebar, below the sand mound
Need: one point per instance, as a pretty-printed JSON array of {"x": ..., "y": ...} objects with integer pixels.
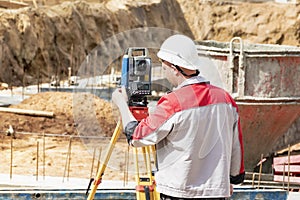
[{"x": 55, "y": 159}]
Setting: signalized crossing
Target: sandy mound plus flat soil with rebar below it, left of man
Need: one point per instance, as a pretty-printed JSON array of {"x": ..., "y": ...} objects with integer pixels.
[{"x": 53, "y": 137}]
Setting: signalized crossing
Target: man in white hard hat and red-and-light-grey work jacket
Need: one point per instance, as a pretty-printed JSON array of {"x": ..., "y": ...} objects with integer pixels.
[{"x": 196, "y": 129}]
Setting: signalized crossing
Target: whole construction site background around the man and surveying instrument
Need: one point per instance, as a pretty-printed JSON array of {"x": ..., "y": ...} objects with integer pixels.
[{"x": 60, "y": 61}]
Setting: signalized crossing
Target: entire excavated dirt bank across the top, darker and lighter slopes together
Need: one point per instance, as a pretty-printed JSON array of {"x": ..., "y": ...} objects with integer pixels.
[{"x": 36, "y": 43}]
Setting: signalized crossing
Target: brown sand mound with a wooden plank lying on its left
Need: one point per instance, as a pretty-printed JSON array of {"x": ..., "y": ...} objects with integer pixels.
[{"x": 88, "y": 113}]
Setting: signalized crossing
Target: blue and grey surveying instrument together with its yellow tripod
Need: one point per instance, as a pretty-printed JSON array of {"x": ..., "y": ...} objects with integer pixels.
[{"x": 136, "y": 78}]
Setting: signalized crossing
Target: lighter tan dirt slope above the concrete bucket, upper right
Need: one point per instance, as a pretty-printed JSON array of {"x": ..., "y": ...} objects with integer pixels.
[{"x": 269, "y": 22}]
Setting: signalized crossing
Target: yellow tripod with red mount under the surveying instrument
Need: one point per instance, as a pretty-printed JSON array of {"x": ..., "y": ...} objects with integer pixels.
[{"x": 145, "y": 185}]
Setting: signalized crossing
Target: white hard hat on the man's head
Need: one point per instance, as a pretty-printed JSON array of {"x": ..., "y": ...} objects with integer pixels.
[{"x": 180, "y": 50}]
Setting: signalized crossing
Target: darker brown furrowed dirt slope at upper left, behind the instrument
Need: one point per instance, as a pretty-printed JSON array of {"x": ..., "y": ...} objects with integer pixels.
[{"x": 37, "y": 43}]
